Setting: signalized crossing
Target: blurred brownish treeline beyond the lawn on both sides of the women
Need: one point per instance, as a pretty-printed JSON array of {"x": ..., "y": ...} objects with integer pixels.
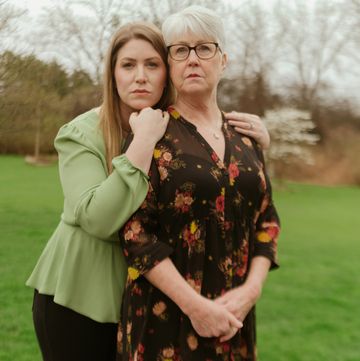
[{"x": 37, "y": 97}]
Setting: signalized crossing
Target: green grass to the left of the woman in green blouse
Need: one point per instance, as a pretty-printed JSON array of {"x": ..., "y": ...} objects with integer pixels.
[{"x": 30, "y": 205}]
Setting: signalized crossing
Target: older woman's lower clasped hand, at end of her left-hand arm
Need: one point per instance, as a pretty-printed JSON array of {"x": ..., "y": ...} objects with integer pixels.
[{"x": 211, "y": 319}]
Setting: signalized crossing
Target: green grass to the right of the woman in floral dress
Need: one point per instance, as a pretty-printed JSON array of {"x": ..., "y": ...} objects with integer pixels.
[{"x": 309, "y": 309}]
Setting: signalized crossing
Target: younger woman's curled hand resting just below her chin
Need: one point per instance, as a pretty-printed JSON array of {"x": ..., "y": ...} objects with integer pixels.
[{"x": 149, "y": 124}]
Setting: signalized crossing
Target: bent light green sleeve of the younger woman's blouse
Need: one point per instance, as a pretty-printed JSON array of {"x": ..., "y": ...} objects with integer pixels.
[{"x": 97, "y": 202}]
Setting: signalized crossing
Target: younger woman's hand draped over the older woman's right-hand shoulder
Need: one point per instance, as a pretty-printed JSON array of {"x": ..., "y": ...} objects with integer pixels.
[{"x": 251, "y": 125}]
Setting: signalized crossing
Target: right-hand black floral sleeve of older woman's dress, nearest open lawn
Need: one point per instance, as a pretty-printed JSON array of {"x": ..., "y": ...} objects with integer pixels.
[{"x": 267, "y": 227}]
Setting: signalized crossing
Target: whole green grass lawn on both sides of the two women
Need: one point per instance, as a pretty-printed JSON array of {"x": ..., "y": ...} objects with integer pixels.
[{"x": 309, "y": 310}]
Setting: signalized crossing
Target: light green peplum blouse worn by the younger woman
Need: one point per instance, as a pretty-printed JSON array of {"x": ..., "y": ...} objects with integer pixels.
[{"x": 82, "y": 265}]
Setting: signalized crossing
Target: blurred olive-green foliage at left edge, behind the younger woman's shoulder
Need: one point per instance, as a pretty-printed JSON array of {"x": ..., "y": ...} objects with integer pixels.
[{"x": 35, "y": 99}]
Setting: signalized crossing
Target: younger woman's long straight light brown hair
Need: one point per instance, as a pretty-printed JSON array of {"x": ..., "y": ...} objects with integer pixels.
[{"x": 110, "y": 118}]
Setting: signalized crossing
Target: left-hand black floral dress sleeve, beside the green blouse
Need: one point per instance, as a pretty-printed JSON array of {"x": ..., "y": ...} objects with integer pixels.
[{"x": 141, "y": 238}]
